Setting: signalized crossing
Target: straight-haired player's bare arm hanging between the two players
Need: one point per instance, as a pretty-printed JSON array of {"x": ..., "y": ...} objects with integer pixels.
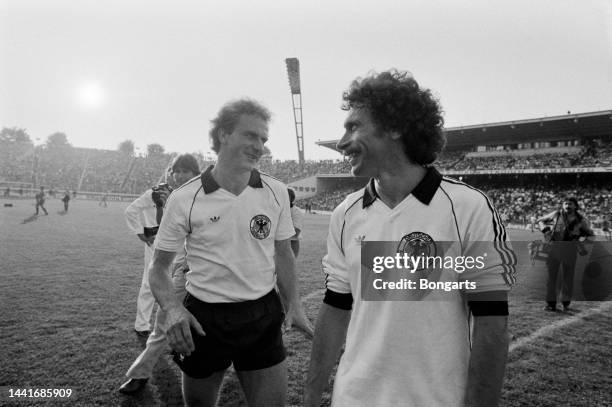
[{"x": 287, "y": 287}]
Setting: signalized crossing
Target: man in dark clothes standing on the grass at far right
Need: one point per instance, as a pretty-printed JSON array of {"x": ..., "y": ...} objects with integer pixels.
[{"x": 566, "y": 226}]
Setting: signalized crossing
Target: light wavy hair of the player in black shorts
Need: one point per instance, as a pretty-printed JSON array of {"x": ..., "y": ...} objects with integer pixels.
[{"x": 229, "y": 115}]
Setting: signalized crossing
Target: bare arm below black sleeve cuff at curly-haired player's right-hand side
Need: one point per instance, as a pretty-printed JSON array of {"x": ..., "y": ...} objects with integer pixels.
[{"x": 487, "y": 361}]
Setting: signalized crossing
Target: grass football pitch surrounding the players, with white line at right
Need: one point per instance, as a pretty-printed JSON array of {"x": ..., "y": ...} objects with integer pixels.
[{"x": 68, "y": 298}]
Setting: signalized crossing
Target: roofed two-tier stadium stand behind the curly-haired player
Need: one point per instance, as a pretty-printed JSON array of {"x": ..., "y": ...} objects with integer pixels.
[{"x": 522, "y": 165}]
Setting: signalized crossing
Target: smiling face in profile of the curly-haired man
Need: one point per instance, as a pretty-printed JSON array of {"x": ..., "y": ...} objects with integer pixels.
[{"x": 364, "y": 143}]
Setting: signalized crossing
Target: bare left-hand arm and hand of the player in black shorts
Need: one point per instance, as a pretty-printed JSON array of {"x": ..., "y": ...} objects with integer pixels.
[{"x": 179, "y": 319}]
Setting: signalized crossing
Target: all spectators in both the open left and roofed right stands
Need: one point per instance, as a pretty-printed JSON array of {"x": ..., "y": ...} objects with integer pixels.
[{"x": 114, "y": 171}]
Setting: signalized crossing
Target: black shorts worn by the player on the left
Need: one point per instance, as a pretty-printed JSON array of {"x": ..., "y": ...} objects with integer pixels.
[{"x": 247, "y": 334}]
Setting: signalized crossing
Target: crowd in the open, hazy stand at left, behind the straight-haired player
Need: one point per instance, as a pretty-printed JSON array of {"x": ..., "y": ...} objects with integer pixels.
[{"x": 115, "y": 171}]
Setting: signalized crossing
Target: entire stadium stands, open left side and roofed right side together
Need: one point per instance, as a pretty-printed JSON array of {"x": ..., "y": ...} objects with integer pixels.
[{"x": 523, "y": 166}]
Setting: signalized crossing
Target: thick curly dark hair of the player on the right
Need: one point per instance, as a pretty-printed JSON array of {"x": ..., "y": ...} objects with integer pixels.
[{"x": 397, "y": 103}]
